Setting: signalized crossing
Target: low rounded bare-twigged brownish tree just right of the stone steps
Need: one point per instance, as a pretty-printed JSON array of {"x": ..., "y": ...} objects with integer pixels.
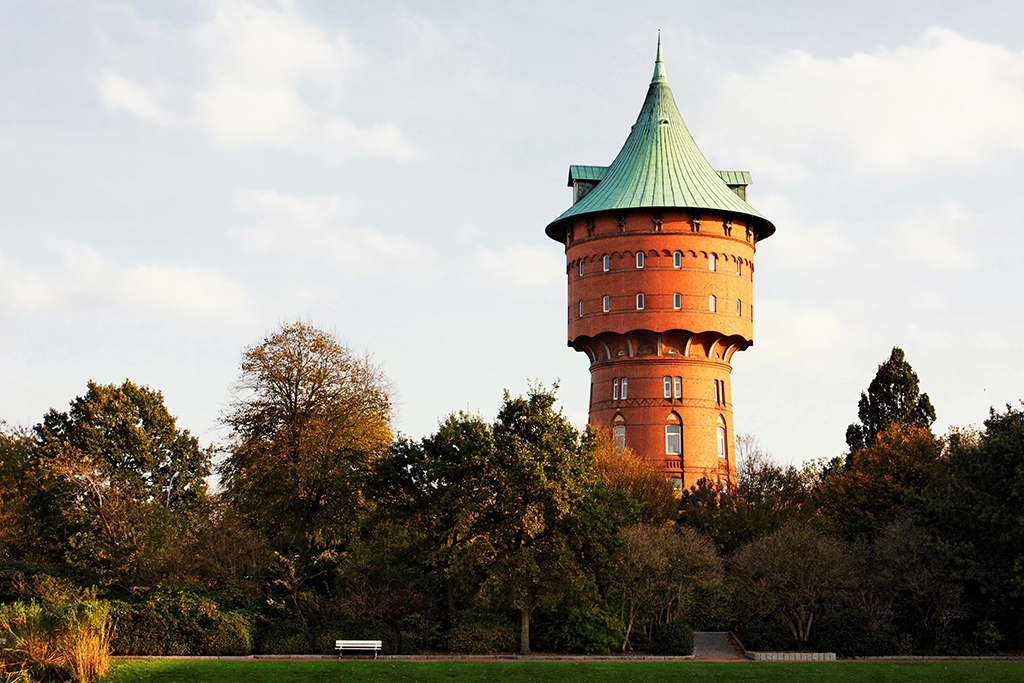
[{"x": 792, "y": 575}]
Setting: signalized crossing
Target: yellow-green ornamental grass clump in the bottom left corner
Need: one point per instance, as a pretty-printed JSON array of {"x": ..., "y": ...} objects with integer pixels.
[{"x": 70, "y": 641}]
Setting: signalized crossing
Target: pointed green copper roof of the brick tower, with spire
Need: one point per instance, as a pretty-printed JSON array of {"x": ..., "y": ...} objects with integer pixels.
[{"x": 659, "y": 167}]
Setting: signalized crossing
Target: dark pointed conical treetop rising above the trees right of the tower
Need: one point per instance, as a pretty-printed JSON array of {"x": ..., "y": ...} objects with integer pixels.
[{"x": 893, "y": 398}]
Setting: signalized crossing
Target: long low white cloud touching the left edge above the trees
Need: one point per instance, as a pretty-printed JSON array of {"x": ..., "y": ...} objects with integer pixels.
[{"x": 89, "y": 280}]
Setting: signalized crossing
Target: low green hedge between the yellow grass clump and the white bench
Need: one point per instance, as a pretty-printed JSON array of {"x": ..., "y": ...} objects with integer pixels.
[{"x": 167, "y": 621}]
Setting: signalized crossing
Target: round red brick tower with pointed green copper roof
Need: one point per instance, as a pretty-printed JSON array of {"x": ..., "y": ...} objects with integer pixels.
[{"x": 660, "y": 251}]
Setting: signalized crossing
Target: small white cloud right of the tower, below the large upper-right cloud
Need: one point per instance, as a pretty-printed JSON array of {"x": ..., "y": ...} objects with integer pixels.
[{"x": 928, "y": 237}]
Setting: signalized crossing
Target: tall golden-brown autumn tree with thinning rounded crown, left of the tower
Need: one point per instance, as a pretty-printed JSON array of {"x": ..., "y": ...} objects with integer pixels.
[{"x": 308, "y": 419}]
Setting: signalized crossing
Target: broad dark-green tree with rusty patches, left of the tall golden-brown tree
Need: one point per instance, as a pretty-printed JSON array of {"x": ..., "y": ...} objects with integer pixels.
[{"x": 119, "y": 480}]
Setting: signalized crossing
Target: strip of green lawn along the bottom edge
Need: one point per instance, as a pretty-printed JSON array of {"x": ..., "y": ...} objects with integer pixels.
[{"x": 558, "y": 672}]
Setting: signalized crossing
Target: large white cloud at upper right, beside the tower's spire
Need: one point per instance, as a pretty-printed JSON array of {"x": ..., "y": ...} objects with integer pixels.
[{"x": 948, "y": 101}]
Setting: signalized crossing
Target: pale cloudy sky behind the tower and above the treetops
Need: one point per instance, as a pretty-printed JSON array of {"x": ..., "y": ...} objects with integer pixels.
[{"x": 179, "y": 180}]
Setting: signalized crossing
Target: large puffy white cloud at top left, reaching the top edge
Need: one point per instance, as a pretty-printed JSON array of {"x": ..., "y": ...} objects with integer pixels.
[{"x": 270, "y": 77}]
